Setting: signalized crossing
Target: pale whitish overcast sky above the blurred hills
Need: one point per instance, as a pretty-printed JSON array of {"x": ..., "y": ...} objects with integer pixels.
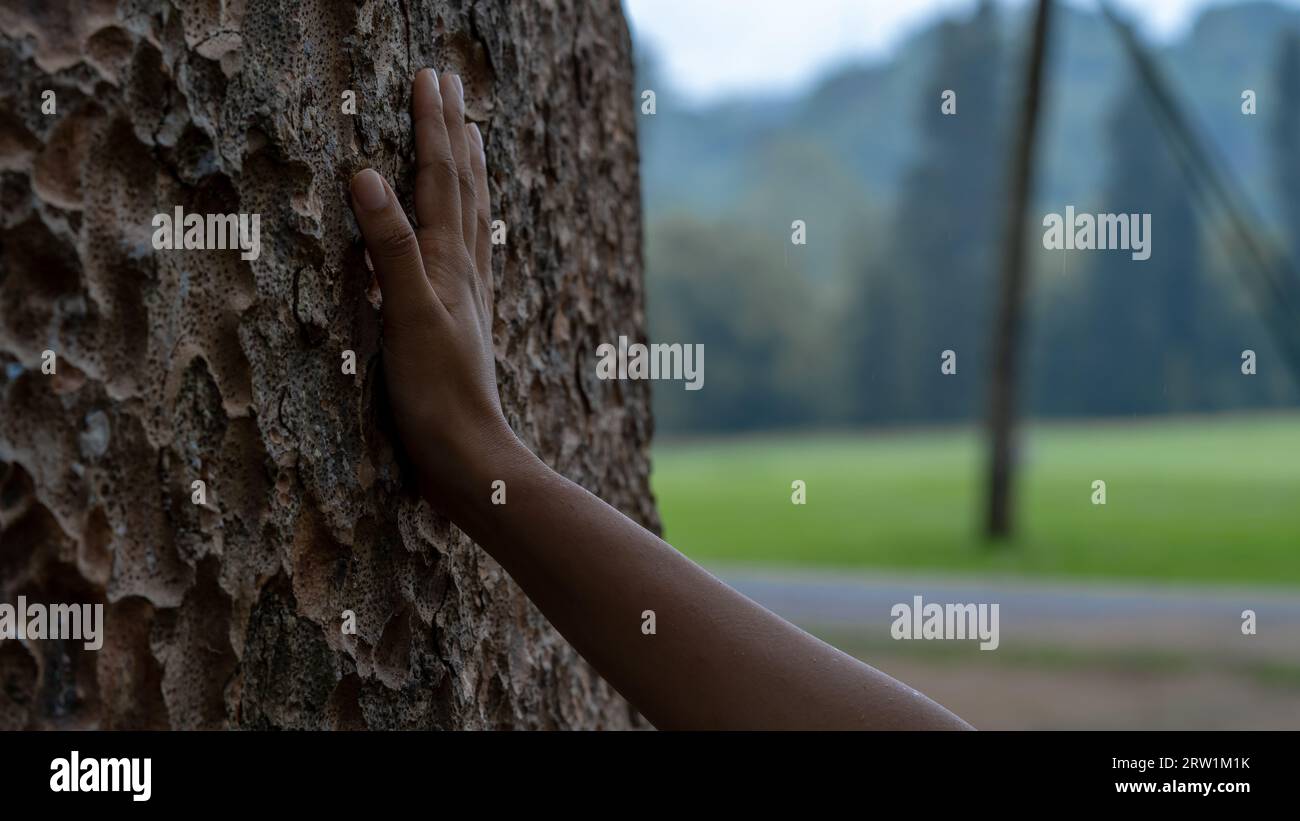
[{"x": 712, "y": 49}]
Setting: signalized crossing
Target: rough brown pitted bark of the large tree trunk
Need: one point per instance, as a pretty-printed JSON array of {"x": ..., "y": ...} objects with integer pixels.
[{"x": 188, "y": 366}]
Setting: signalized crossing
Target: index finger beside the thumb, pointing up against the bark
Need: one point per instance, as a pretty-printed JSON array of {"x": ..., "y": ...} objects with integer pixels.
[{"x": 437, "y": 192}]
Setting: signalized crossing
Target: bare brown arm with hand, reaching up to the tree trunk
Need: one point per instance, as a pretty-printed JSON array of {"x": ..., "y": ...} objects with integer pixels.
[{"x": 717, "y": 659}]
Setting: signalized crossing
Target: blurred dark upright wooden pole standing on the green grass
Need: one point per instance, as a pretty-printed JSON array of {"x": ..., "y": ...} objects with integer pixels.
[{"x": 1003, "y": 394}]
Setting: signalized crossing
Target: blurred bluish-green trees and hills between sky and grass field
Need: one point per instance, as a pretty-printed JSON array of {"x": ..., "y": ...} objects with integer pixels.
[{"x": 903, "y": 207}]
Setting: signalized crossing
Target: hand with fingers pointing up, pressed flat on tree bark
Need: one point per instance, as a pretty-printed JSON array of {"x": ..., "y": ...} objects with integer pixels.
[{"x": 439, "y": 297}]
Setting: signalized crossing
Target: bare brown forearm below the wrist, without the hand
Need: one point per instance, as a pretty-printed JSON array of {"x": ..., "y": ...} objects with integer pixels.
[{"x": 716, "y": 661}]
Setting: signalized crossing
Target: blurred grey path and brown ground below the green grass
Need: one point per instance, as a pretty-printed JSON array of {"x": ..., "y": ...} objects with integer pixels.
[{"x": 1071, "y": 655}]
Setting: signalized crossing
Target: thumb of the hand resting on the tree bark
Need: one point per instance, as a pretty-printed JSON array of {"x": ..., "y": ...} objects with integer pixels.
[{"x": 395, "y": 251}]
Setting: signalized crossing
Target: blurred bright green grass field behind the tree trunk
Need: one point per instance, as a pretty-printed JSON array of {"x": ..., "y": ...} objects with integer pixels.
[{"x": 1212, "y": 499}]
